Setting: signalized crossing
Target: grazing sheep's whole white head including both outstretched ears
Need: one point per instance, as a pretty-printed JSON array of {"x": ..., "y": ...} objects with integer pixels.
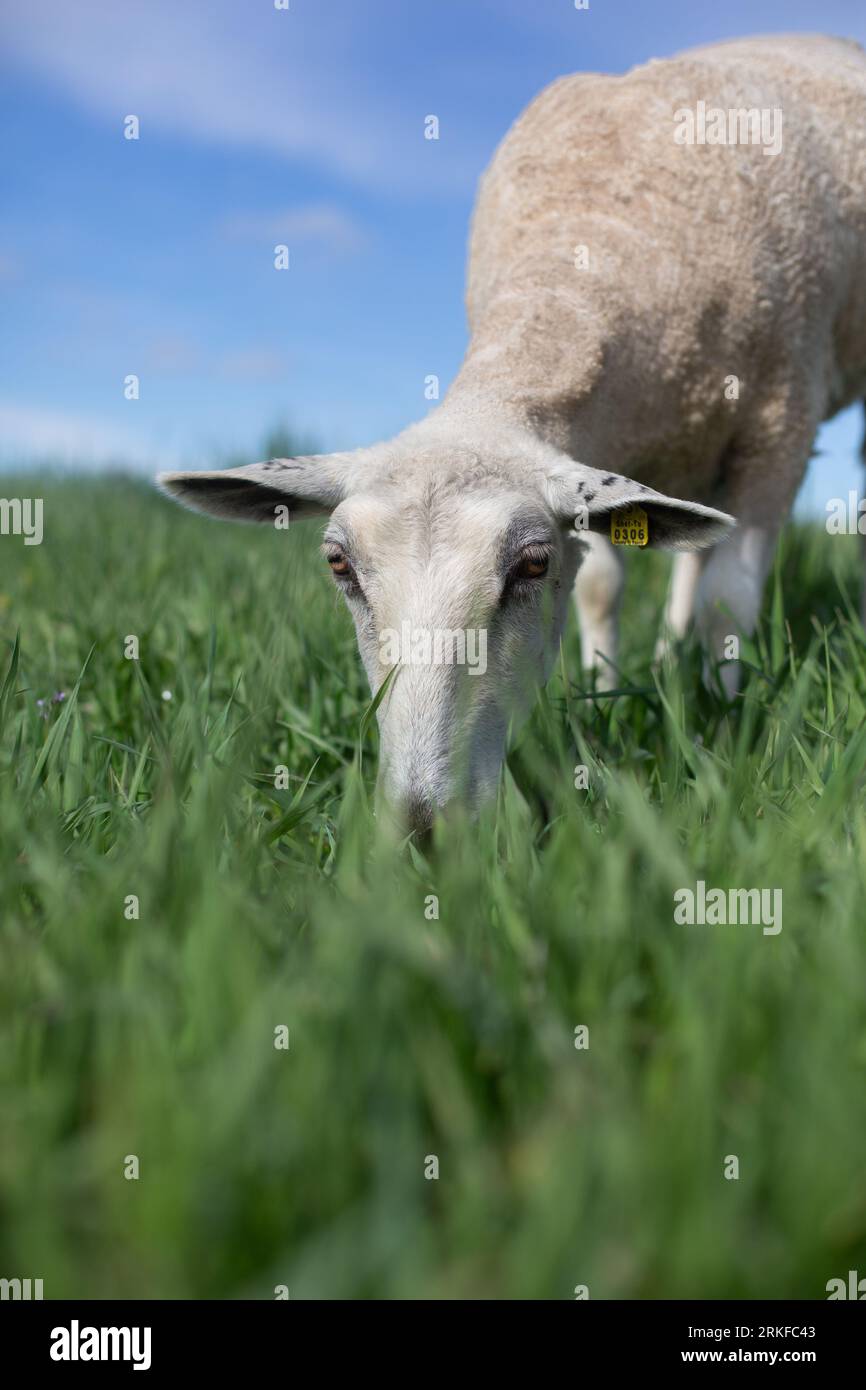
[{"x": 457, "y": 572}]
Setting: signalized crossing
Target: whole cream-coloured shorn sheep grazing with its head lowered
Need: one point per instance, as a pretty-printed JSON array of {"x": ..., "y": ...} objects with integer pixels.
[{"x": 667, "y": 295}]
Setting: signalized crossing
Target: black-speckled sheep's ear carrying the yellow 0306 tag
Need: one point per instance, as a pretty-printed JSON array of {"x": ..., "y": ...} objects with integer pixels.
[{"x": 590, "y": 498}]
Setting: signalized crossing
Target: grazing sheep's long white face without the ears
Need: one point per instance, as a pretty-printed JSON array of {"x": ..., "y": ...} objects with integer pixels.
[{"x": 459, "y": 601}]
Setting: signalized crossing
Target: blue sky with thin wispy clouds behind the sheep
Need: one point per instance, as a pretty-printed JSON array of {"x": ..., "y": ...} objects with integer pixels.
[{"x": 155, "y": 256}]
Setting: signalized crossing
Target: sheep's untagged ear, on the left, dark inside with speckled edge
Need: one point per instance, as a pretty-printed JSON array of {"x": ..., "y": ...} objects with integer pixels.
[{"x": 309, "y": 487}]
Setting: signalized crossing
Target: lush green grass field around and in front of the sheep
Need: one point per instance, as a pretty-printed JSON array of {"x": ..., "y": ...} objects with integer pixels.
[{"x": 409, "y": 1038}]
